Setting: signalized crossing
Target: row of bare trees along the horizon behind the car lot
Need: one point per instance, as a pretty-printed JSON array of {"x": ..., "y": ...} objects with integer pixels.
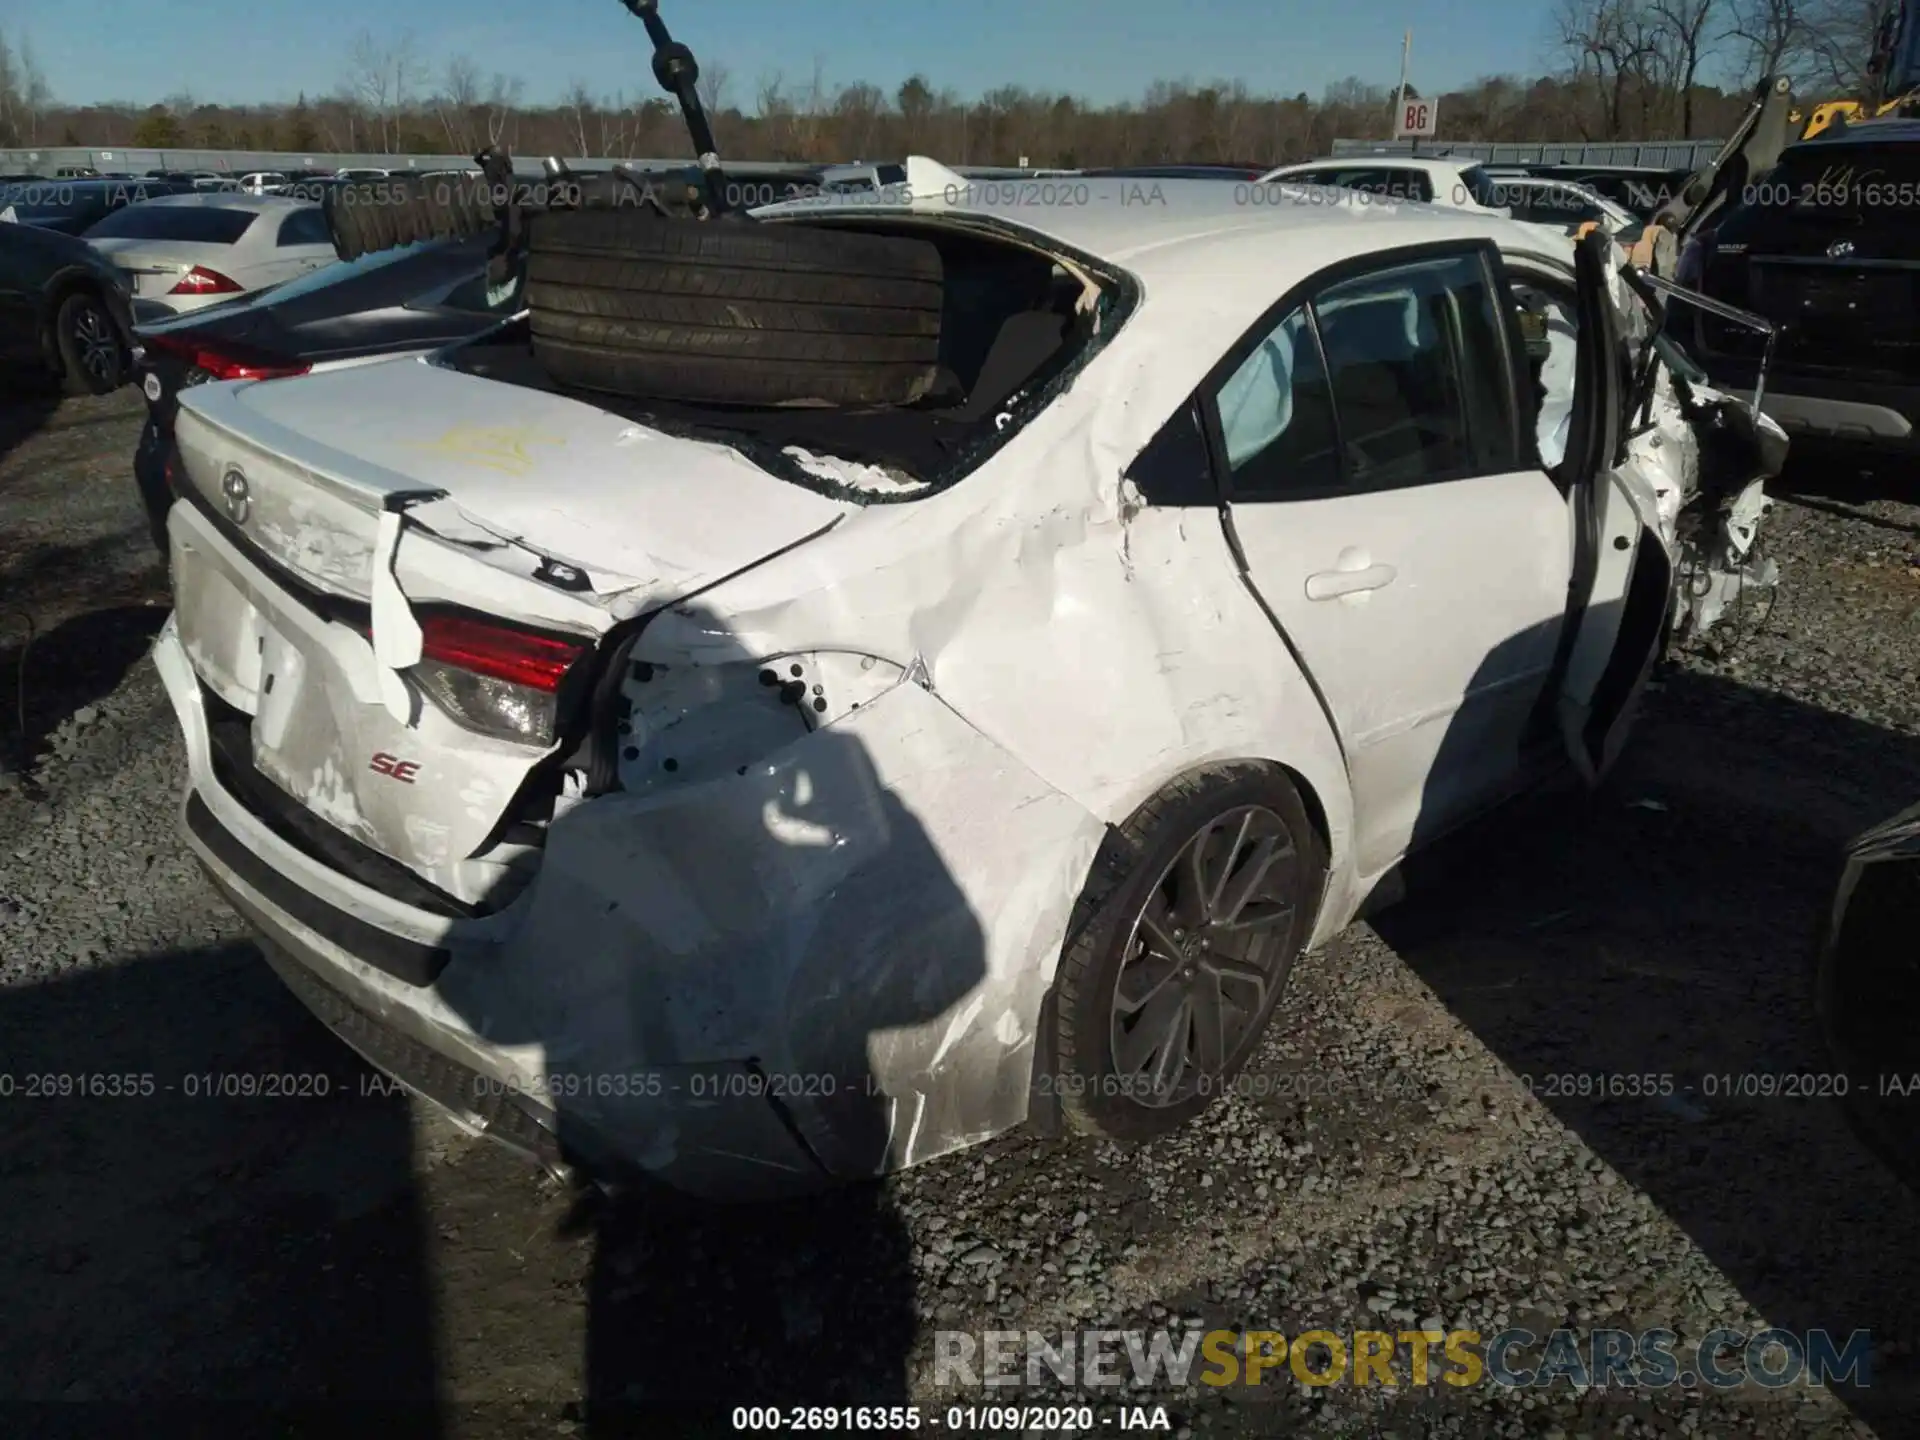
[{"x": 1620, "y": 70}]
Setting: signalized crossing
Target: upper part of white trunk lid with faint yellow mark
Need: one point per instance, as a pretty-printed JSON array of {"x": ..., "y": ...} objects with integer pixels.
[{"x": 633, "y": 508}]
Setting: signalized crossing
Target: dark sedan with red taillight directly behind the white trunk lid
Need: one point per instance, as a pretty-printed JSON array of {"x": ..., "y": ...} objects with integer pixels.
[{"x": 387, "y": 304}]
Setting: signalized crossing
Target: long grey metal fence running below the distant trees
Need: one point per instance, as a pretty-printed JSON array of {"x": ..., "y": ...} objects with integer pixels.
[{"x": 49, "y": 160}]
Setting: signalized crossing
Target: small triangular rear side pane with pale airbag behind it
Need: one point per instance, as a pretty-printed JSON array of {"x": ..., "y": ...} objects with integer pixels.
[{"x": 1276, "y": 416}]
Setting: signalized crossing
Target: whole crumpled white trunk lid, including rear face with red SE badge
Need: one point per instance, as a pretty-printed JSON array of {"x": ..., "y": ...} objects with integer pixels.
[{"x": 293, "y": 485}]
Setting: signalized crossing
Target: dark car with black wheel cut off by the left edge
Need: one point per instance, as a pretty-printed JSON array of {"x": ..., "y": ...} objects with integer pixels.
[{"x": 64, "y": 310}]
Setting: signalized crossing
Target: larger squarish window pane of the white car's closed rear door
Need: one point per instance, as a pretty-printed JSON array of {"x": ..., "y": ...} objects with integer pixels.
[{"x": 1418, "y": 373}]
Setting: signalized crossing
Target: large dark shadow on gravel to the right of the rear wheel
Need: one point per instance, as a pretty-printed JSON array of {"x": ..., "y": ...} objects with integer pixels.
[{"x": 1623, "y": 938}]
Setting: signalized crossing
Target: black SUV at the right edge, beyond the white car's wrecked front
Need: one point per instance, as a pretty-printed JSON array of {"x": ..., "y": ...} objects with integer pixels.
[{"x": 1827, "y": 247}]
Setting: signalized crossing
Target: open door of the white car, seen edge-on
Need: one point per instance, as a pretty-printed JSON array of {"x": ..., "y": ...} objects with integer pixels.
[{"x": 1623, "y": 567}]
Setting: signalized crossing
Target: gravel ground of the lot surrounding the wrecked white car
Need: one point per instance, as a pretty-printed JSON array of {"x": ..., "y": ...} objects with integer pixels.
[{"x": 1404, "y": 1153}]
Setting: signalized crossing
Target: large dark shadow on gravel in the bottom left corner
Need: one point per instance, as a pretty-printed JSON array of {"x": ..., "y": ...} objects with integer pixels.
[{"x": 168, "y": 1239}]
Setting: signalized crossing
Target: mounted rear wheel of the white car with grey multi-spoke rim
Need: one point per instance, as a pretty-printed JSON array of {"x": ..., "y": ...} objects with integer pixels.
[{"x": 1099, "y": 1093}]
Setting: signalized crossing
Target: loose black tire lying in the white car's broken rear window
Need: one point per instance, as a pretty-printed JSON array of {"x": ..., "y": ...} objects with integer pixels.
[{"x": 738, "y": 314}]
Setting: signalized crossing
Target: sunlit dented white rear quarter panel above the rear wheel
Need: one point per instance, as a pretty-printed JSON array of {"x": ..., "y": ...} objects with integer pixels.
[{"x": 1109, "y": 646}]
